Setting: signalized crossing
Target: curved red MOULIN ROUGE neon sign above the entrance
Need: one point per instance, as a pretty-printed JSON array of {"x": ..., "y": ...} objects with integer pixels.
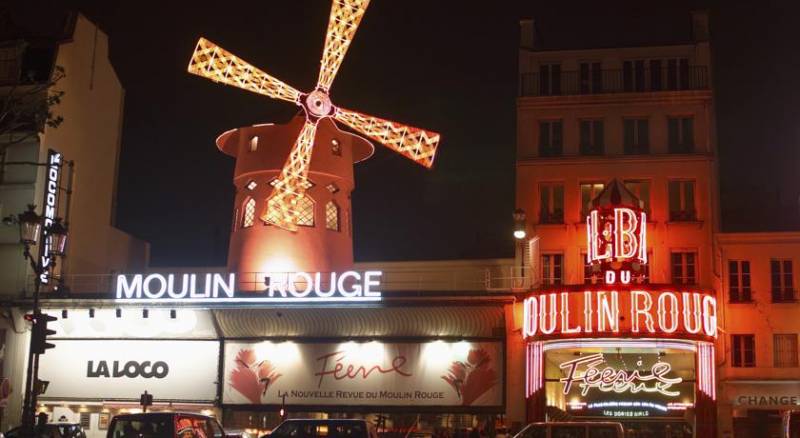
[{"x": 619, "y": 312}]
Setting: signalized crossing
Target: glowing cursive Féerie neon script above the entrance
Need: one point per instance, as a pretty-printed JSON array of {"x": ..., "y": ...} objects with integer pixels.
[{"x": 609, "y": 379}]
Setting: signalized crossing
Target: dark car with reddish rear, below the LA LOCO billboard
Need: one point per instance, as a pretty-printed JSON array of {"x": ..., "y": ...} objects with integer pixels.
[{"x": 164, "y": 425}]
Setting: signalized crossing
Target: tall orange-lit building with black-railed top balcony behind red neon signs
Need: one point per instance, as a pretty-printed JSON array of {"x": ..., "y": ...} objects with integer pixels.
[{"x": 641, "y": 119}]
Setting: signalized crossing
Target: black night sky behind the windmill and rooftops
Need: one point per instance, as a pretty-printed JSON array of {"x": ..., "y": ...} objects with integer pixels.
[{"x": 444, "y": 65}]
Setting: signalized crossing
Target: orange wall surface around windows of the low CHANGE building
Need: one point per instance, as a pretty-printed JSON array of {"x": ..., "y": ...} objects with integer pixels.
[{"x": 760, "y": 317}]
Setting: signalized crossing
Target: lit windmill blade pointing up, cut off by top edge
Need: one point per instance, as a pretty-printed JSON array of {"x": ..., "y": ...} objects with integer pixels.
[{"x": 342, "y": 26}]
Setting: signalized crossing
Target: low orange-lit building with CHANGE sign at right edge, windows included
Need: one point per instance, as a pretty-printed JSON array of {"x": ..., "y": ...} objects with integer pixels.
[{"x": 759, "y": 371}]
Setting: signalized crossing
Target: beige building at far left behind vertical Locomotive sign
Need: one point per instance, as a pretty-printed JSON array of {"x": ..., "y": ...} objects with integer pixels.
[{"x": 89, "y": 142}]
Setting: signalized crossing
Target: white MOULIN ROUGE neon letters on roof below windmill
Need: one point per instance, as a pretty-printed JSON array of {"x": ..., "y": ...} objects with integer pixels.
[{"x": 277, "y": 287}]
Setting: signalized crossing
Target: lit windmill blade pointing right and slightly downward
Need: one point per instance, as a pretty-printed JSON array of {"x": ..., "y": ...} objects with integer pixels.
[{"x": 414, "y": 143}]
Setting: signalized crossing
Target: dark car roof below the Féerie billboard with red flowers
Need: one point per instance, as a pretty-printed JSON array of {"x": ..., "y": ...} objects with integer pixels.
[{"x": 324, "y": 429}]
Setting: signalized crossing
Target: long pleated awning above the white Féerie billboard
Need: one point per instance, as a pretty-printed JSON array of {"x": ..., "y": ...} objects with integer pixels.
[{"x": 333, "y": 322}]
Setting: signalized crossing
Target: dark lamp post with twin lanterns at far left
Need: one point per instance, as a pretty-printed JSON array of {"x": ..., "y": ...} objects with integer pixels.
[{"x": 31, "y": 228}]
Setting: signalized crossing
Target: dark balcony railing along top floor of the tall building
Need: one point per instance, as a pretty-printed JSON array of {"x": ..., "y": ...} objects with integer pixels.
[{"x": 614, "y": 81}]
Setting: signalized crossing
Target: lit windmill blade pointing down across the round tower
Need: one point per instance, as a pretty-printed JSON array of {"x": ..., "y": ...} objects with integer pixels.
[{"x": 283, "y": 207}]
